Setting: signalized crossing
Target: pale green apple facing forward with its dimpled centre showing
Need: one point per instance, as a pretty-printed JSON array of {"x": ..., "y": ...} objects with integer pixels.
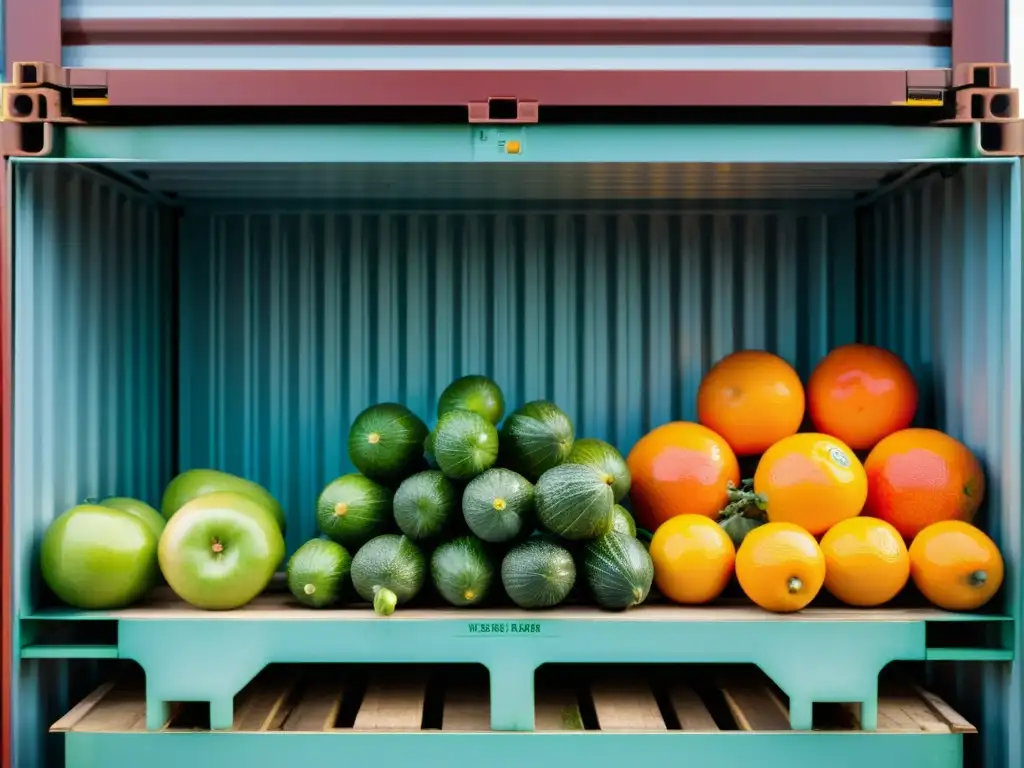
[{"x": 221, "y": 550}]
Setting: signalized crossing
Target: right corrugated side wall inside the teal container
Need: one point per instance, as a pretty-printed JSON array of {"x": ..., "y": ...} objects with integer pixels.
[{"x": 942, "y": 285}]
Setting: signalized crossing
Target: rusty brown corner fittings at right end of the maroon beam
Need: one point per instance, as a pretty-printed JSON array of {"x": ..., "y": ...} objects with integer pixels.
[{"x": 980, "y": 95}]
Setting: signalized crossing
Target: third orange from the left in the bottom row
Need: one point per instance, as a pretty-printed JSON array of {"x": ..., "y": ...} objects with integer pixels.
[{"x": 867, "y": 563}]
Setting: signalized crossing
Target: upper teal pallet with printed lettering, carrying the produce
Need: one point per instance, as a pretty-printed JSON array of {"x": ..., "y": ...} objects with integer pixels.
[{"x": 819, "y": 656}]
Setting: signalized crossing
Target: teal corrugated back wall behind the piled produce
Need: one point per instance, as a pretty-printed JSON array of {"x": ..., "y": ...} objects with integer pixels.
[{"x": 297, "y": 322}]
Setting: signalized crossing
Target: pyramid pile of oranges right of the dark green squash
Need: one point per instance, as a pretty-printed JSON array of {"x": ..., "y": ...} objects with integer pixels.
[{"x": 815, "y": 515}]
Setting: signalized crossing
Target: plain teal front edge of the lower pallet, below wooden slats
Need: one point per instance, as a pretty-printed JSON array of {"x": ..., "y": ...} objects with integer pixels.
[{"x": 513, "y": 751}]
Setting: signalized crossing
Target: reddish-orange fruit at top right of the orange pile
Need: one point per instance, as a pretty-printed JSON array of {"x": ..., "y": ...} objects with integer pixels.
[{"x": 861, "y": 394}]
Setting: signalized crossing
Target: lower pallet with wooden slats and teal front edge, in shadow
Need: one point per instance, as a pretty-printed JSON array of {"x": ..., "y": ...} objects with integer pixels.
[{"x": 441, "y": 716}]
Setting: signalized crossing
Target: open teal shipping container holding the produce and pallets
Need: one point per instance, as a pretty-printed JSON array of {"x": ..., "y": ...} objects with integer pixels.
[{"x": 232, "y": 297}]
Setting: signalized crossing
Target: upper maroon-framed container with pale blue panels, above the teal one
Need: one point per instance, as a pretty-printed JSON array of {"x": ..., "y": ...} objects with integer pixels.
[{"x": 818, "y": 54}]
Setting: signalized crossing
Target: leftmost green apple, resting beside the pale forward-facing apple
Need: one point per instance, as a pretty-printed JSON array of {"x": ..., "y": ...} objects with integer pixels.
[{"x": 99, "y": 558}]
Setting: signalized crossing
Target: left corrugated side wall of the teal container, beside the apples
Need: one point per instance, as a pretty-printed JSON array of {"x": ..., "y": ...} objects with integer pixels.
[{"x": 94, "y": 381}]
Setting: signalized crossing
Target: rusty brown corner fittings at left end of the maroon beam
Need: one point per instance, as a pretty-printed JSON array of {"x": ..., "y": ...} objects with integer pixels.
[{"x": 40, "y": 96}]
